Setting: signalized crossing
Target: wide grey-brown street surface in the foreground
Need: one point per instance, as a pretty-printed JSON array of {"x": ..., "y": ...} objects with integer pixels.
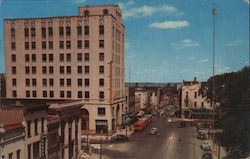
[{"x": 172, "y": 143}]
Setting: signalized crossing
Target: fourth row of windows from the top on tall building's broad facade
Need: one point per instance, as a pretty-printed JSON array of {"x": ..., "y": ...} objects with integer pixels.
[{"x": 62, "y": 70}]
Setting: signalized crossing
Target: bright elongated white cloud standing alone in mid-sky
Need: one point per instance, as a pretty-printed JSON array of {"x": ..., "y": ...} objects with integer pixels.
[{"x": 169, "y": 24}]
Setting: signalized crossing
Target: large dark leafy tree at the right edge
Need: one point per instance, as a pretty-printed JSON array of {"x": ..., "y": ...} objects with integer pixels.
[{"x": 232, "y": 92}]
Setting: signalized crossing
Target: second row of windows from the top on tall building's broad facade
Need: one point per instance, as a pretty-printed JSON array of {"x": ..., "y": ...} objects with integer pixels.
[{"x": 61, "y": 45}]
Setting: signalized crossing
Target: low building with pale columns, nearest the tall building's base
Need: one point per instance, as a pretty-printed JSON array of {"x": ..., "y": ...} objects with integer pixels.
[{"x": 69, "y": 114}]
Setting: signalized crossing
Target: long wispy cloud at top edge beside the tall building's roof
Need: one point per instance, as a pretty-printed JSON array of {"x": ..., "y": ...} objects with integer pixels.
[{"x": 145, "y": 10}]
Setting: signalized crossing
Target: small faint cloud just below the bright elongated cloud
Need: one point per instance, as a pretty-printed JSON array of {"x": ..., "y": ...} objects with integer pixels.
[{"x": 186, "y": 43}]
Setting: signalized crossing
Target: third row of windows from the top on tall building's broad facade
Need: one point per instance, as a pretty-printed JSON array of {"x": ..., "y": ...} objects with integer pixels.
[{"x": 62, "y": 57}]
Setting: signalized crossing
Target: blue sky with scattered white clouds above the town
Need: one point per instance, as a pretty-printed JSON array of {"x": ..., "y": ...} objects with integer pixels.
[{"x": 166, "y": 40}]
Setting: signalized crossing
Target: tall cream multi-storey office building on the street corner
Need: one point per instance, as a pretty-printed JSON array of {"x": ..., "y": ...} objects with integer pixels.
[{"x": 70, "y": 58}]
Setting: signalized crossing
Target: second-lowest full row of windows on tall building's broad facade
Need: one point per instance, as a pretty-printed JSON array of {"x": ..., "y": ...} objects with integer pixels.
[{"x": 63, "y": 82}]
